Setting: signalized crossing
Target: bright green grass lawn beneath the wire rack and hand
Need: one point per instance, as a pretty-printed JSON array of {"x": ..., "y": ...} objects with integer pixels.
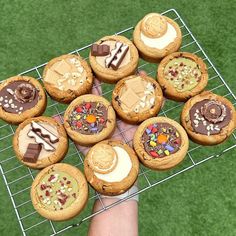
[{"x": 198, "y": 202}]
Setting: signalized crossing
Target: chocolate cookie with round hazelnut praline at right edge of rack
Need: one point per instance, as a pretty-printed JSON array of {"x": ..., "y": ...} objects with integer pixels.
[{"x": 208, "y": 118}]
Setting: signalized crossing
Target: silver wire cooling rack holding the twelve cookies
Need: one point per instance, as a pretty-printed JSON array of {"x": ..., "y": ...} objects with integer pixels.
[{"x": 18, "y": 178}]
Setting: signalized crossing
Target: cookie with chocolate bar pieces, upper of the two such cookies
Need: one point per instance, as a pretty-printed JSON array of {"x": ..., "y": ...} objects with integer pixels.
[{"x": 113, "y": 58}]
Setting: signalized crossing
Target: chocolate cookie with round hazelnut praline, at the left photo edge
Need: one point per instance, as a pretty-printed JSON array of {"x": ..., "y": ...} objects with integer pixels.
[{"x": 21, "y": 97}]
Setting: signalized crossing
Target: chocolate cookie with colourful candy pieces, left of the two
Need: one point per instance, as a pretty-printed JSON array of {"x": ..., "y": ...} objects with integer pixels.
[{"x": 89, "y": 119}]
